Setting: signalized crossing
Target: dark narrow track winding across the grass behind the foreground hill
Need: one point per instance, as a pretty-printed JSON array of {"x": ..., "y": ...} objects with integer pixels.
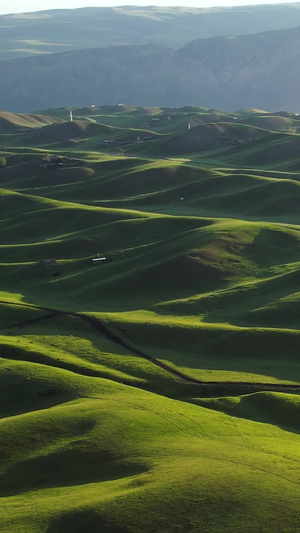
[{"x": 208, "y": 386}]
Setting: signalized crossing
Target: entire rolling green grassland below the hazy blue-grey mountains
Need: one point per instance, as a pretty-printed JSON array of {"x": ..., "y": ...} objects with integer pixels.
[{"x": 158, "y": 391}]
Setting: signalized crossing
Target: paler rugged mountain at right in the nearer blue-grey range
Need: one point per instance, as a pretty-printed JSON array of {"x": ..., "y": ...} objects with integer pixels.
[{"x": 260, "y": 70}]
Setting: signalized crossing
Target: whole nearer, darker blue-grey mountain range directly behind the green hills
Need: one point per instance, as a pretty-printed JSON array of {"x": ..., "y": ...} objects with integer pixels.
[{"x": 260, "y": 71}]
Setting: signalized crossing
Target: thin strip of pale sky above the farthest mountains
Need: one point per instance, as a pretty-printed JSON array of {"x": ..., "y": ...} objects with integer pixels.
[{"x": 22, "y": 6}]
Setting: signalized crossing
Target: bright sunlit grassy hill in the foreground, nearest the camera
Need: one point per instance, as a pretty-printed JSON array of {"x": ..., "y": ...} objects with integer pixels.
[{"x": 119, "y": 459}]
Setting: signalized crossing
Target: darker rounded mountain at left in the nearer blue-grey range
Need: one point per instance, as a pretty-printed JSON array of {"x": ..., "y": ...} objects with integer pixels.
[{"x": 137, "y": 74}]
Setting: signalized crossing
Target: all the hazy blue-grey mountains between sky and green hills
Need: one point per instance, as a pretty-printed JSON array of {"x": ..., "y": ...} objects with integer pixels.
[{"x": 152, "y": 56}]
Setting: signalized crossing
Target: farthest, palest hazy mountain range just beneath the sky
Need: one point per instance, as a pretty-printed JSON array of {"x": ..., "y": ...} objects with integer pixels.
[{"x": 64, "y": 30}]
